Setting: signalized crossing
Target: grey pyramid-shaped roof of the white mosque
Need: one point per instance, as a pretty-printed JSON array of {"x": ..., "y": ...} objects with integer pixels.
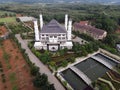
[{"x": 53, "y": 27}]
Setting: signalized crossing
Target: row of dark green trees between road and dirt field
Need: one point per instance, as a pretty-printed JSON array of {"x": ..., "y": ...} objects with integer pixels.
[{"x": 40, "y": 80}]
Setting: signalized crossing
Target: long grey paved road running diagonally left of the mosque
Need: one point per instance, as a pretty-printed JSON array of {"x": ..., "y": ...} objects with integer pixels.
[{"x": 43, "y": 69}]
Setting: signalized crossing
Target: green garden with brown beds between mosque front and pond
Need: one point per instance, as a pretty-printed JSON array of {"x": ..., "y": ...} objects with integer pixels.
[{"x": 61, "y": 58}]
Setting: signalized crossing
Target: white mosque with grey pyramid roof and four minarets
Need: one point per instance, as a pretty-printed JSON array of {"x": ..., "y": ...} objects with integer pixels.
[{"x": 53, "y": 36}]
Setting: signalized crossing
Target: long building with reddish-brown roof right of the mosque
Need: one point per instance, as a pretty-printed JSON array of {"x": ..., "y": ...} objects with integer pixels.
[{"x": 97, "y": 34}]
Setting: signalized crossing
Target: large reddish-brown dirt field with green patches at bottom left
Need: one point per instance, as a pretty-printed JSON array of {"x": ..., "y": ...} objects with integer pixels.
[{"x": 15, "y": 69}]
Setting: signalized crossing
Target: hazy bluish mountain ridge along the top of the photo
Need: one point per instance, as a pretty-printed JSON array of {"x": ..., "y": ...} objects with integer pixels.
[{"x": 63, "y": 1}]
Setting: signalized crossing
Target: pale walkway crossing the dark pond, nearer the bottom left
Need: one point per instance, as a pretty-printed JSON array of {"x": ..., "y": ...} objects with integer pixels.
[{"x": 81, "y": 75}]
